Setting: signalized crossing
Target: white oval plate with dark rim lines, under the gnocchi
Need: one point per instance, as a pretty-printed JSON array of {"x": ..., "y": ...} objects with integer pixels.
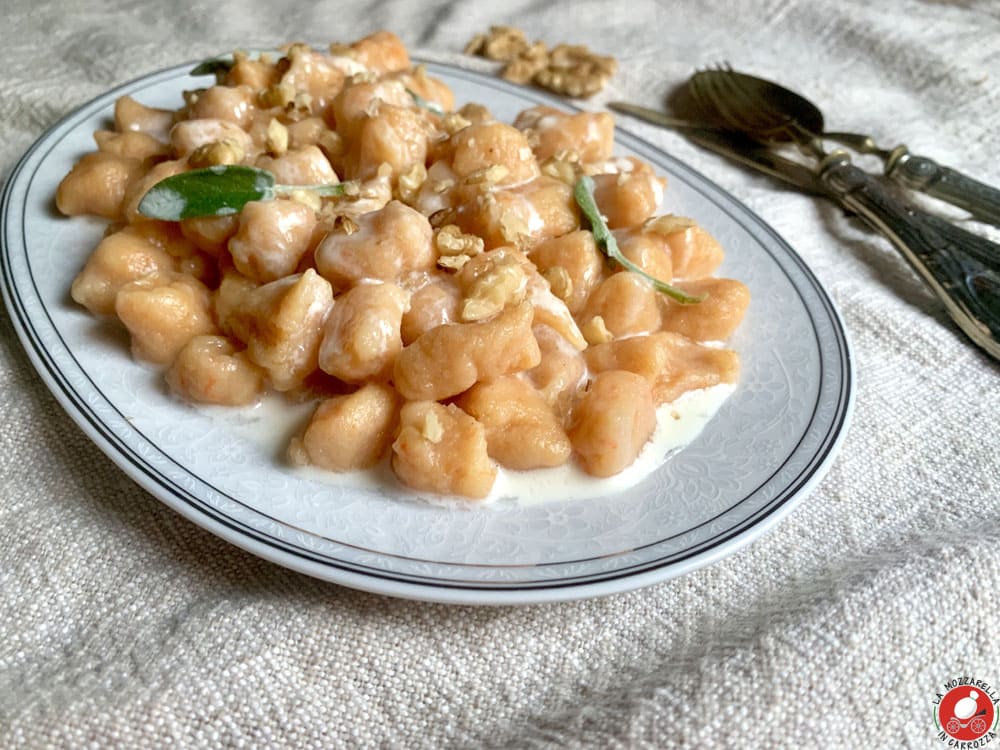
[{"x": 763, "y": 452}]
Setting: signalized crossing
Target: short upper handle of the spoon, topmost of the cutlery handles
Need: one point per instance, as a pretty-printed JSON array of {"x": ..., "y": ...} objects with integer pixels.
[{"x": 945, "y": 183}]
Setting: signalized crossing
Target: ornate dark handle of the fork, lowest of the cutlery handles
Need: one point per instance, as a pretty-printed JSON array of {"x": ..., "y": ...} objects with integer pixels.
[{"x": 963, "y": 269}]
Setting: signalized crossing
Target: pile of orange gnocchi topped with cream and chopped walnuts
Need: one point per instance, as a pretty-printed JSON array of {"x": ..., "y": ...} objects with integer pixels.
[{"x": 449, "y": 308}]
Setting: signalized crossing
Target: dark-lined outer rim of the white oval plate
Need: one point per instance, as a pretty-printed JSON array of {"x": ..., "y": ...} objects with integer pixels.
[{"x": 383, "y": 581}]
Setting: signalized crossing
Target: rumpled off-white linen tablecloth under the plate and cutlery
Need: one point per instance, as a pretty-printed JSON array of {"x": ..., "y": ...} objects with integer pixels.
[{"x": 123, "y": 624}]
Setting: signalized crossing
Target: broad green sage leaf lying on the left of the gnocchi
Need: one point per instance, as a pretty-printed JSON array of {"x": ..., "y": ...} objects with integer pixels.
[{"x": 213, "y": 191}]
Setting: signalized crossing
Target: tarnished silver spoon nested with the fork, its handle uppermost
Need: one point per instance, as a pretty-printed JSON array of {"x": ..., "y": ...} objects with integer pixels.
[{"x": 910, "y": 170}]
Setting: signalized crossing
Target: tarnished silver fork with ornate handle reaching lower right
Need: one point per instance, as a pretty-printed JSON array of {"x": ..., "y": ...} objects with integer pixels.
[{"x": 960, "y": 267}]
